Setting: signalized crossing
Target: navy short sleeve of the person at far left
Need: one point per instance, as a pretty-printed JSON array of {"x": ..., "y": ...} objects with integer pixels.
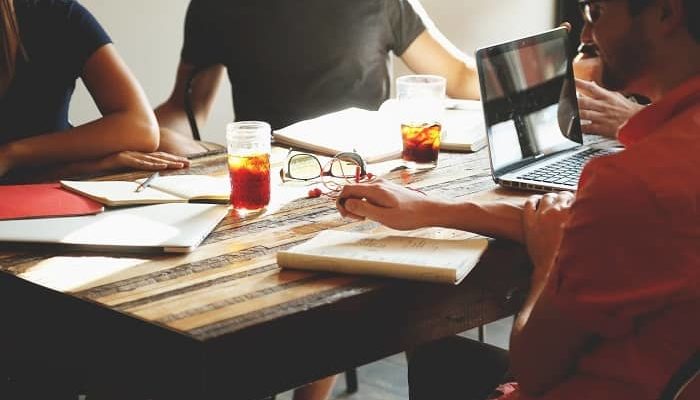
[{"x": 85, "y": 34}]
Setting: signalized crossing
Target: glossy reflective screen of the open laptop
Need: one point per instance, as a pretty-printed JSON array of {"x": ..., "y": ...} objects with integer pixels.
[{"x": 529, "y": 99}]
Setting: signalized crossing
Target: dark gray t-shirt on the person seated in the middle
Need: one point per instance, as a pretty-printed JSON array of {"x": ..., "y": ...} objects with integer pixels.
[{"x": 290, "y": 60}]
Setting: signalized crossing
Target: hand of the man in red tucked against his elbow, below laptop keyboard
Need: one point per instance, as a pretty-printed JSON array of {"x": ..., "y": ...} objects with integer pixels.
[{"x": 544, "y": 217}]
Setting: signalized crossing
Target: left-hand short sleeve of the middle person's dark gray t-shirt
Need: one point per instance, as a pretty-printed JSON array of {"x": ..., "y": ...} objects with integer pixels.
[{"x": 199, "y": 47}]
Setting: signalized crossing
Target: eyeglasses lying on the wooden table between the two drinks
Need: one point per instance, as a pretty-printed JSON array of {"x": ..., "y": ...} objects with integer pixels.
[{"x": 305, "y": 166}]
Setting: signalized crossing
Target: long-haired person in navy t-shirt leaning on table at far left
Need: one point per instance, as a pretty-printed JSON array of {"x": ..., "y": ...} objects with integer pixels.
[{"x": 45, "y": 46}]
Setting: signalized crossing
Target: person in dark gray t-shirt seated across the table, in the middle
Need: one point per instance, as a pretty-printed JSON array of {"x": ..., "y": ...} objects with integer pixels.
[{"x": 292, "y": 60}]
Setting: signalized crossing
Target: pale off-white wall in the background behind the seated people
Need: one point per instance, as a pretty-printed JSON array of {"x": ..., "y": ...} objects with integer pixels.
[{"x": 148, "y": 35}]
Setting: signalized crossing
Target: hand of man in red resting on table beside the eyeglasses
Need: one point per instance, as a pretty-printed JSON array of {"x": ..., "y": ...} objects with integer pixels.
[{"x": 392, "y": 205}]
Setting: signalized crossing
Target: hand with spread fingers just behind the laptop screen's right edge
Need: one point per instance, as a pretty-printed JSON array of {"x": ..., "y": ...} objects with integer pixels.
[{"x": 605, "y": 110}]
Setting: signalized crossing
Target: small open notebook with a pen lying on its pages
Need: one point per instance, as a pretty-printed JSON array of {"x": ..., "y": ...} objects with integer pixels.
[{"x": 163, "y": 189}]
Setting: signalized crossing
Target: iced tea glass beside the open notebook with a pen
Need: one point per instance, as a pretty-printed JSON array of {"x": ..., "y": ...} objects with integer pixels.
[{"x": 248, "y": 145}]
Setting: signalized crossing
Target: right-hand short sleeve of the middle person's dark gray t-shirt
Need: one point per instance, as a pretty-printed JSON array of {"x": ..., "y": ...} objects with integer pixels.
[{"x": 405, "y": 24}]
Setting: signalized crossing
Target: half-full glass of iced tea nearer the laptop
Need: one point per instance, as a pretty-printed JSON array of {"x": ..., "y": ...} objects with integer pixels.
[{"x": 421, "y": 103}]
